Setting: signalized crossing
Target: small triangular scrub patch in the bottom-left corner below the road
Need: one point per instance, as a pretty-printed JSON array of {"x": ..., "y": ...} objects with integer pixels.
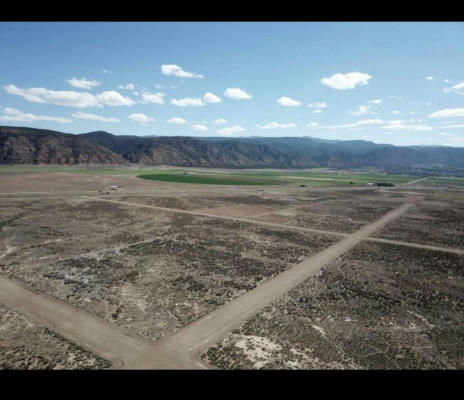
[{"x": 26, "y": 345}]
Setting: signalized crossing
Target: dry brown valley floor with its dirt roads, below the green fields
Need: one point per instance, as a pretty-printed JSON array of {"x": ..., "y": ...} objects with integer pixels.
[{"x": 212, "y": 276}]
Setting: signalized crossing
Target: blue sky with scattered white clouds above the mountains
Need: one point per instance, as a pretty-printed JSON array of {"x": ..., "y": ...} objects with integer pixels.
[{"x": 399, "y": 83}]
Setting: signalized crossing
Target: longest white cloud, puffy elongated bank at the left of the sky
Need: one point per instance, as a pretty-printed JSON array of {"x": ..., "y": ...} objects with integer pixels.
[{"x": 69, "y": 98}]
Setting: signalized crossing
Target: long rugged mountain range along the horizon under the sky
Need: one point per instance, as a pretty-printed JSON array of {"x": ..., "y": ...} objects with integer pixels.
[{"x": 21, "y": 145}]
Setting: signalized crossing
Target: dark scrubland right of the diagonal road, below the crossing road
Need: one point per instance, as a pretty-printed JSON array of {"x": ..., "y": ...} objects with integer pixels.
[{"x": 378, "y": 307}]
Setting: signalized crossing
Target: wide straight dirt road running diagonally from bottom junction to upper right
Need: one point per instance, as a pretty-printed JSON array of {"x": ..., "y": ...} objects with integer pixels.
[{"x": 182, "y": 349}]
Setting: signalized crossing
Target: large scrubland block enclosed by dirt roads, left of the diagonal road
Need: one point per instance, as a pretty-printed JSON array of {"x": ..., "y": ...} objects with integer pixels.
[{"x": 144, "y": 270}]
